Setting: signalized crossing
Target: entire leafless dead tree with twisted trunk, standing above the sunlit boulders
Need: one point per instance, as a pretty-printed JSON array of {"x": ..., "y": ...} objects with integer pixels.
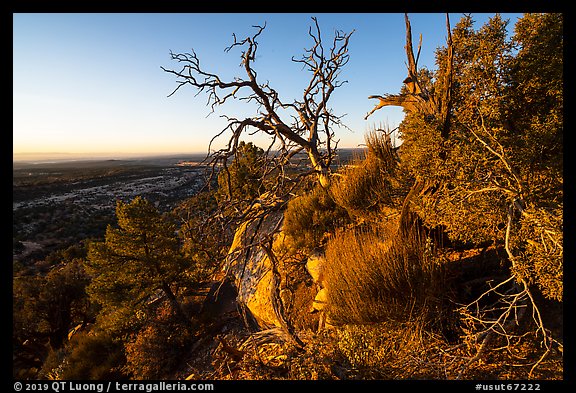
[{"x": 298, "y": 128}]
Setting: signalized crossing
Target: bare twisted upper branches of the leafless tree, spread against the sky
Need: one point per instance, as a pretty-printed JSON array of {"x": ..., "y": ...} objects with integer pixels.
[{"x": 311, "y": 119}]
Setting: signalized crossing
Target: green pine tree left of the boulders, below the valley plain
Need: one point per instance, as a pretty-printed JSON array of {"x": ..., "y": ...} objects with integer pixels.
[{"x": 138, "y": 262}]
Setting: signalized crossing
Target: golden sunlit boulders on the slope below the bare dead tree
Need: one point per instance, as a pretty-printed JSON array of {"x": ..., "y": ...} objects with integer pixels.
[{"x": 253, "y": 267}]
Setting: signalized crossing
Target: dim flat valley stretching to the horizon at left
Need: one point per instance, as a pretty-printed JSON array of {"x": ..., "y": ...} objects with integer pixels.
[{"x": 56, "y": 204}]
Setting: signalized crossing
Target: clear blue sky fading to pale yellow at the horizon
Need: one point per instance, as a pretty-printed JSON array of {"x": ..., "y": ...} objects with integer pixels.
[{"x": 91, "y": 83}]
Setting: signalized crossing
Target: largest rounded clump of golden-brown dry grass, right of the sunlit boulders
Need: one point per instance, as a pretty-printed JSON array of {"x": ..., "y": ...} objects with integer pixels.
[{"x": 372, "y": 278}]
